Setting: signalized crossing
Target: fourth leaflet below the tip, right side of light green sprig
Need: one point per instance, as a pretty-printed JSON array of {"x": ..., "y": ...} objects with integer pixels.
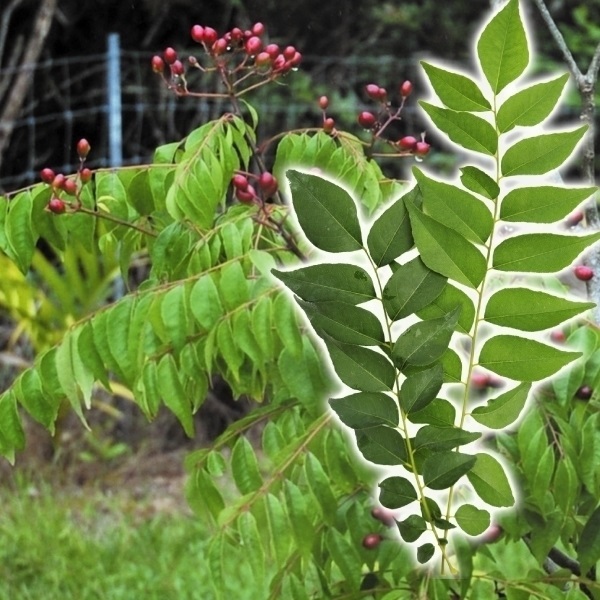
[{"x": 540, "y": 252}]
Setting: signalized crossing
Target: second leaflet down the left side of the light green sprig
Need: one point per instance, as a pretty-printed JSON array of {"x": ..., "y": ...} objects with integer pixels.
[{"x": 464, "y": 129}]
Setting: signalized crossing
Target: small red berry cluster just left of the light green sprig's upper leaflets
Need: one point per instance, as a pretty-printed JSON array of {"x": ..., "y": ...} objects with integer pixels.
[{"x": 377, "y": 121}]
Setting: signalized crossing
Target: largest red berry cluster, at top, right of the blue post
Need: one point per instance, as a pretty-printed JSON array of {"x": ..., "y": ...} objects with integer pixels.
[{"x": 236, "y": 56}]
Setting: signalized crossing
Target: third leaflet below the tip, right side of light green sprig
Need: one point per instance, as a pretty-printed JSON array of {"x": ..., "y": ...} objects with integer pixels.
[{"x": 542, "y": 204}]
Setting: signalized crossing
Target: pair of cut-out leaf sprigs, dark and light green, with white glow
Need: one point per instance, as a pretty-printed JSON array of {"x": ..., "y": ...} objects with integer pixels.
[{"x": 433, "y": 289}]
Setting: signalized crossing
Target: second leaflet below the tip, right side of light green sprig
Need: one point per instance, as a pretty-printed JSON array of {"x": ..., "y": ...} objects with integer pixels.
[{"x": 539, "y": 154}]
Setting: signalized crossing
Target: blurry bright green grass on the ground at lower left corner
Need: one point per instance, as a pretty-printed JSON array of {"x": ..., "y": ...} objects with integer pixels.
[{"x": 58, "y": 545}]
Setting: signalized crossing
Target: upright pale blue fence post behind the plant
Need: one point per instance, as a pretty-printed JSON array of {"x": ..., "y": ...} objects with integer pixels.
[{"x": 113, "y": 73}]
